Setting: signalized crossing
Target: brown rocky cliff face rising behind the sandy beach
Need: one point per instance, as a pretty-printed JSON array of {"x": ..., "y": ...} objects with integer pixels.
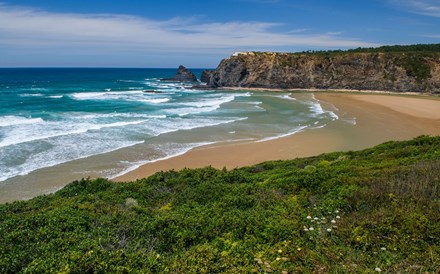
[{"x": 414, "y": 72}]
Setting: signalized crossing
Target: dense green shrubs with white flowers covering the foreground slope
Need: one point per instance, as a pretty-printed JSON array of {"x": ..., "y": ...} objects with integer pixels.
[{"x": 338, "y": 213}]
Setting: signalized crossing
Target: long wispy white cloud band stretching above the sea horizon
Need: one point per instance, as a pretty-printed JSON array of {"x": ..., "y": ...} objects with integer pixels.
[{"x": 31, "y": 29}]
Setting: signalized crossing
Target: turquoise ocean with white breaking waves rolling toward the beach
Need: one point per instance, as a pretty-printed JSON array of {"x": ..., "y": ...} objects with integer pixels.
[{"x": 69, "y": 123}]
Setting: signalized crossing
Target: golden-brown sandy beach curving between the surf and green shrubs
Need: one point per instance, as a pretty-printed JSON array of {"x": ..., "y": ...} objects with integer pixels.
[{"x": 364, "y": 120}]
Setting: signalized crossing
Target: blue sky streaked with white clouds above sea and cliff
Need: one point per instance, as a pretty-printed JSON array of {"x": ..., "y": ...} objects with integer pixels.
[{"x": 198, "y": 34}]
